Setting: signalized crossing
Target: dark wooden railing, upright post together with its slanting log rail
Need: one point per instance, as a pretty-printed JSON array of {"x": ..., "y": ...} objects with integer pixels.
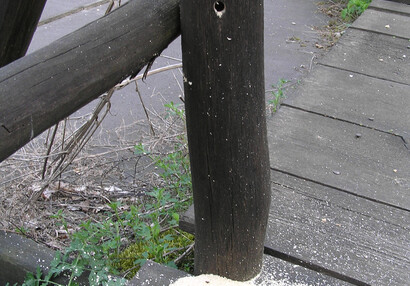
[{"x": 222, "y": 43}]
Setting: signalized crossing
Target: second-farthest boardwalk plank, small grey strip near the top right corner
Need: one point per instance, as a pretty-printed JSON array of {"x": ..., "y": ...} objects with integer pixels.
[{"x": 384, "y": 22}]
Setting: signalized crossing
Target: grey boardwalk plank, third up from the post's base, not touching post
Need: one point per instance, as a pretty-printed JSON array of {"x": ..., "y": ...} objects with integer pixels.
[{"x": 340, "y": 94}]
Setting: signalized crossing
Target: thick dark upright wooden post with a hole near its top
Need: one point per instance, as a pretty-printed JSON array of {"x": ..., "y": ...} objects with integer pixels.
[{"x": 222, "y": 45}]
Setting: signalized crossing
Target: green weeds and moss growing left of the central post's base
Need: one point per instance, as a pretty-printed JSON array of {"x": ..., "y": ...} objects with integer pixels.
[{"x": 130, "y": 235}]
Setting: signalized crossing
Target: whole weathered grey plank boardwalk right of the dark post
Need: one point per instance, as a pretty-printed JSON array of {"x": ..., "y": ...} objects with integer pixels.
[{"x": 340, "y": 160}]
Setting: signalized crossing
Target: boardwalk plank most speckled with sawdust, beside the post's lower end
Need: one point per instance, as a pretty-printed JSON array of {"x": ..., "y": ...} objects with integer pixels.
[{"x": 342, "y": 233}]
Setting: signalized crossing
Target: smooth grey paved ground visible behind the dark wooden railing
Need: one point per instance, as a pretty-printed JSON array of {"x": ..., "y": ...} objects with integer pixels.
[{"x": 284, "y": 19}]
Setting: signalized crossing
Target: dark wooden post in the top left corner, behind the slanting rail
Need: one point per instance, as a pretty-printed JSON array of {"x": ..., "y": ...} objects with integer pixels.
[{"x": 18, "y": 21}]
